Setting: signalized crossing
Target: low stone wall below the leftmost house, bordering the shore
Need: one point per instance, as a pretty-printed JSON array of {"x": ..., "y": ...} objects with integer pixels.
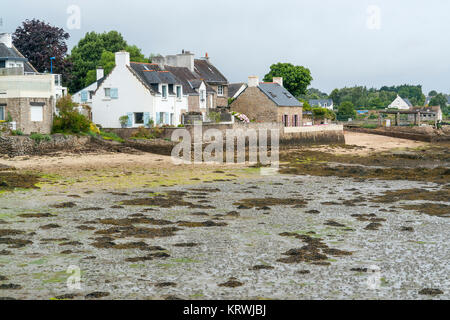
[{"x": 13, "y": 146}]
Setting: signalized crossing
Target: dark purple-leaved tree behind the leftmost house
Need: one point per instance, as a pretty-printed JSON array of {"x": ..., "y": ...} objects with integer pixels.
[{"x": 38, "y": 41}]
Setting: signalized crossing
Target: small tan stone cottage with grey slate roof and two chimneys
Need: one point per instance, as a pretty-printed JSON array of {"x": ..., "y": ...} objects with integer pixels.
[{"x": 268, "y": 102}]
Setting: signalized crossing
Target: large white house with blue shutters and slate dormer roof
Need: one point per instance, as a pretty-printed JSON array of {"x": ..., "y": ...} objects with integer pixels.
[{"x": 142, "y": 92}]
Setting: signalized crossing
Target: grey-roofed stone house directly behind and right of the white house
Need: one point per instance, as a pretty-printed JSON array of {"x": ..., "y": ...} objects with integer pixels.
[{"x": 205, "y": 85}]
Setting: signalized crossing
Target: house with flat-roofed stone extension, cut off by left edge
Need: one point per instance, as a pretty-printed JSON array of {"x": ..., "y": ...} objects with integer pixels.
[{"x": 26, "y": 97}]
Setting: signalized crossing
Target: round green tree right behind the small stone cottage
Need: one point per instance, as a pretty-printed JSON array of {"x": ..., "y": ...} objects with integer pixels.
[{"x": 295, "y": 78}]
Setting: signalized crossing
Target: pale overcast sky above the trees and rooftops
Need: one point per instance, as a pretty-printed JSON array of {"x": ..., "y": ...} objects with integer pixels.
[{"x": 342, "y": 42}]
